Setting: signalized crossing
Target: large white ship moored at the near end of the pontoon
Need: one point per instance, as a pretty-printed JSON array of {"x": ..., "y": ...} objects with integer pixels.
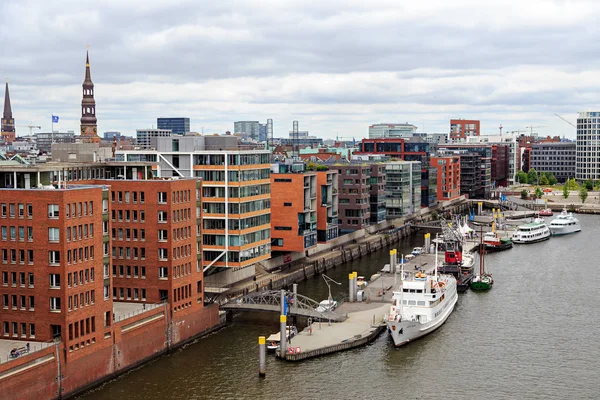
[{"x": 421, "y": 305}]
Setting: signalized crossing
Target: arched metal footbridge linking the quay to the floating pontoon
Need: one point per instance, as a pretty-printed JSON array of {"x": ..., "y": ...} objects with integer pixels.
[{"x": 270, "y": 301}]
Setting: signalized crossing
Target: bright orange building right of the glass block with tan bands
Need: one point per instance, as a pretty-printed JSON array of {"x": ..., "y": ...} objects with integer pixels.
[{"x": 293, "y": 207}]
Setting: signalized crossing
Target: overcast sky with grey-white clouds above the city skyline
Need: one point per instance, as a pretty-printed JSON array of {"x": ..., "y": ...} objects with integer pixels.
[{"x": 335, "y": 66}]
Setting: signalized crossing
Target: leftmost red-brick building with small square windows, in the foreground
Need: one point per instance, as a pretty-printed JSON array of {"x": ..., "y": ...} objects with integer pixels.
[{"x": 54, "y": 275}]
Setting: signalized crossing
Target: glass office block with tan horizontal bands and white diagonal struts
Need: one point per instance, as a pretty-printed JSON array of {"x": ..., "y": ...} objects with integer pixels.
[{"x": 236, "y": 193}]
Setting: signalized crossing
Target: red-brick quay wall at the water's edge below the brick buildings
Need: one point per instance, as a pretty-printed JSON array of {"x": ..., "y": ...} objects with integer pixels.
[{"x": 134, "y": 341}]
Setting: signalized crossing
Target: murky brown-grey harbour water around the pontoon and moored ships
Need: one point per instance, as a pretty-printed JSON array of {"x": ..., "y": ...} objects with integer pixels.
[{"x": 533, "y": 336}]
